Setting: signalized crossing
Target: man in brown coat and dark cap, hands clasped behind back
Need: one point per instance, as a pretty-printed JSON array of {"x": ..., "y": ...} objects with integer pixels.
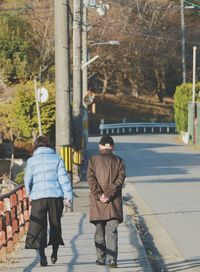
[{"x": 105, "y": 176}]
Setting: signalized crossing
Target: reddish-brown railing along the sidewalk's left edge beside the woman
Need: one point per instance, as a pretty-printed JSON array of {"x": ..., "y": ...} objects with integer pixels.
[{"x": 14, "y": 218}]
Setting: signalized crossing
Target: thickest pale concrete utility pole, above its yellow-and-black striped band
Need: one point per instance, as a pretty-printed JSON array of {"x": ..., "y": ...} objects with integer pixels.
[{"x": 62, "y": 73}]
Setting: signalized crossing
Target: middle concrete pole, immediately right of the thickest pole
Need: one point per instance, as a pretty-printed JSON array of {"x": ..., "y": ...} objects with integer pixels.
[{"x": 77, "y": 91}]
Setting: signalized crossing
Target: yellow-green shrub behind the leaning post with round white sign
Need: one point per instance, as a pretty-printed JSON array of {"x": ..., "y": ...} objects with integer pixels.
[{"x": 20, "y": 115}]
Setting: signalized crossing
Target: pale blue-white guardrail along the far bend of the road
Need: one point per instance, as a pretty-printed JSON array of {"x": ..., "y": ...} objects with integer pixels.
[{"x": 131, "y": 128}]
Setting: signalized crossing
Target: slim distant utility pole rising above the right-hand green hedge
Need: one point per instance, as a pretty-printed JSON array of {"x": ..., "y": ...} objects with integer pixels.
[{"x": 183, "y": 41}]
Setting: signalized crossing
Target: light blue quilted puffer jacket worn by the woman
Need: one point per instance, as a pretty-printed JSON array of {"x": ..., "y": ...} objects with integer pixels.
[{"x": 45, "y": 175}]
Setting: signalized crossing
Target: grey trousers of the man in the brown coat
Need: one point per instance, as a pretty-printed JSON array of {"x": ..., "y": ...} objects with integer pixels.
[{"x": 109, "y": 247}]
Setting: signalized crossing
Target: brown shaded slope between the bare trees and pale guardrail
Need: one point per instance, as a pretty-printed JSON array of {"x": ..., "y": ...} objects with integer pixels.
[{"x": 114, "y": 109}]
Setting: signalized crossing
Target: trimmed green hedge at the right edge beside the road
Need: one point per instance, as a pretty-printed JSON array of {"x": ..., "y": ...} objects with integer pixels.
[{"x": 182, "y": 96}]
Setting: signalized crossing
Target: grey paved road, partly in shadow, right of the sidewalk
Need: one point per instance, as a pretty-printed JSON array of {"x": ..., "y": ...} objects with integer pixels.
[{"x": 163, "y": 176}]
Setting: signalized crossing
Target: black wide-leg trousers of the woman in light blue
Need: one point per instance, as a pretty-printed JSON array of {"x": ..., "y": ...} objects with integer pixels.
[{"x": 37, "y": 232}]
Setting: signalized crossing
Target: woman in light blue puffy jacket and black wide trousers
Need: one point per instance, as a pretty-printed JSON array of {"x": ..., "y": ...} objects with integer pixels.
[{"x": 47, "y": 185}]
